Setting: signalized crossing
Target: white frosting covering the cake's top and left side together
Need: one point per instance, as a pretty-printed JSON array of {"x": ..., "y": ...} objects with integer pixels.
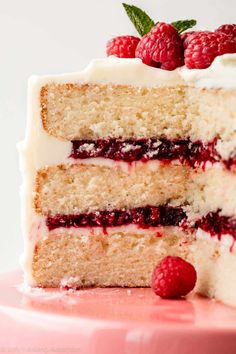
[{"x": 40, "y": 149}]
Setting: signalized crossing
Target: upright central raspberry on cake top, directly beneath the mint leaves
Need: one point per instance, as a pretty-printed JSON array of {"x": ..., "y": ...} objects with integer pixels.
[{"x": 161, "y": 47}]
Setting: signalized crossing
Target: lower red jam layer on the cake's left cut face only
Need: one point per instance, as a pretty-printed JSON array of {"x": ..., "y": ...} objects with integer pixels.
[{"x": 145, "y": 217}]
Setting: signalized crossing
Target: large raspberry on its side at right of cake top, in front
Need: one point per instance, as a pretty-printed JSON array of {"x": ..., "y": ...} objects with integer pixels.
[{"x": 203, "y": 47}]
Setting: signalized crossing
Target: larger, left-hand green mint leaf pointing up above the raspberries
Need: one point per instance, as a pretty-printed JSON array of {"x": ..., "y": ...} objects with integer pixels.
[{"x": 142, "y": 22}]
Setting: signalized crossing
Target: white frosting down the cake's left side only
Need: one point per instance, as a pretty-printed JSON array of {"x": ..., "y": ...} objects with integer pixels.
[{"x": 37, "y": 150}]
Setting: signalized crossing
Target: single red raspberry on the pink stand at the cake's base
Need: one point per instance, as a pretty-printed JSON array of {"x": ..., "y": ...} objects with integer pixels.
[{"x": 173, "y": 277}]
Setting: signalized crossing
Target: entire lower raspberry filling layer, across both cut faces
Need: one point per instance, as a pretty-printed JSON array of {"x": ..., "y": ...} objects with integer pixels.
[{"x": 149, "y": 216}]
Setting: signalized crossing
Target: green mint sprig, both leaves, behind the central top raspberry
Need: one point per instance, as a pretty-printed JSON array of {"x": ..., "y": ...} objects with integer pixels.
[{"x": 143, "y": 22}]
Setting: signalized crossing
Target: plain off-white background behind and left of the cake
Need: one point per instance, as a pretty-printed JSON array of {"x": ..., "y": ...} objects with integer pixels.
[{"x": 55, "y": 36}]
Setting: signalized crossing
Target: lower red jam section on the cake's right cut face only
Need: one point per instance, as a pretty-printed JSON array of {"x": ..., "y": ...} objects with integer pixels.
[{"x": 217, "y": 224}]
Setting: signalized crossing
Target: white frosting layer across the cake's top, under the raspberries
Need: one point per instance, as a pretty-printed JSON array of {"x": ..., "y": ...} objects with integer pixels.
[{"x": 222, "y": 73}]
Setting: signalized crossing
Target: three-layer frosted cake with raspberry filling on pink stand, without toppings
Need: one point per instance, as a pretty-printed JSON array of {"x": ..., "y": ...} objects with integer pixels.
[{"x": 124, "y": 164}]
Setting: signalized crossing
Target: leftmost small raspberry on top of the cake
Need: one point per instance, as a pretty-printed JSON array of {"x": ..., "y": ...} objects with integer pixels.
[{"x": 123, "y": 46}]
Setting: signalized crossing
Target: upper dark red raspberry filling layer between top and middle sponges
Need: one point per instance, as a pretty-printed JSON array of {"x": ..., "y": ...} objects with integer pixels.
[{"x": 192, "y": 153}]
